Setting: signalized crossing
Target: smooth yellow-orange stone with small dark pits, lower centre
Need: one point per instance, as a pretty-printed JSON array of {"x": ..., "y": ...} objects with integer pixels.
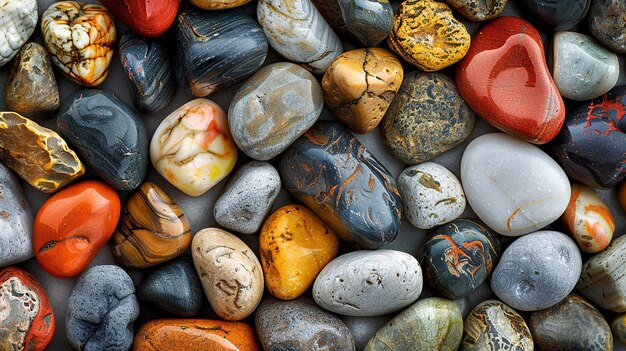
[{"x": 295, "y": 245}]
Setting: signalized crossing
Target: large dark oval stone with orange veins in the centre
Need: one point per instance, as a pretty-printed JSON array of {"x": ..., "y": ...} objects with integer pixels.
[{"x": 339, "y": 179}]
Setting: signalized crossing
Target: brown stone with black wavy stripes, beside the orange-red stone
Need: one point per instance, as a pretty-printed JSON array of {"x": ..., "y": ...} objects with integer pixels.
[{"x": 153, "y": 229}]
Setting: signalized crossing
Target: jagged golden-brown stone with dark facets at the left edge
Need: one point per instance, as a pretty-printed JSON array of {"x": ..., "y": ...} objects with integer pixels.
[{"x": 37, "y": 154}]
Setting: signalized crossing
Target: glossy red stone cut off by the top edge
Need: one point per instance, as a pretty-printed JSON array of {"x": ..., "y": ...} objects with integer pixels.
[{"x": 148, "y": 18}]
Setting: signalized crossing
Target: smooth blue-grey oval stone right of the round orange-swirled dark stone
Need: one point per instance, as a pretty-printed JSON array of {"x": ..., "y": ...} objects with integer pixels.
[{"x": 537, "y": 271}]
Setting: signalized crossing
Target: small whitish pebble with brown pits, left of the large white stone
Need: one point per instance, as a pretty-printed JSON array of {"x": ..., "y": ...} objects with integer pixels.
[{"x": 432, "y": 195}]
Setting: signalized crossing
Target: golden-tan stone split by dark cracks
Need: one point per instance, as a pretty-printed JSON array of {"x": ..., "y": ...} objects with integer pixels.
[{"x": 359, "y": 86}]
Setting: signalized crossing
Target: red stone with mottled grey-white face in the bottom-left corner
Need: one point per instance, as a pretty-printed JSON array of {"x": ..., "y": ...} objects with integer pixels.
[{"x": 27, "y": 321}]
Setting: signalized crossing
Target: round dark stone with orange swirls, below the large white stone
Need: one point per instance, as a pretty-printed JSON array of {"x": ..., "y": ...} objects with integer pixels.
[{"x": 459, "y": 256}]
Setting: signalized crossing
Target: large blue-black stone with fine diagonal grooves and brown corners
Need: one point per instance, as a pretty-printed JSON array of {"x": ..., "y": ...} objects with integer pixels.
[{"x": 216, "y": 49}]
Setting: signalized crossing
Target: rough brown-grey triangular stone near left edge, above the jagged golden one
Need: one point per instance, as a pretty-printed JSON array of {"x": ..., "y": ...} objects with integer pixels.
[{"x": 31, "y": 88}]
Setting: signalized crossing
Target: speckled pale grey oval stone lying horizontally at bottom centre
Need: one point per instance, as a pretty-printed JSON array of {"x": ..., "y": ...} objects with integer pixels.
[{"x": 368, "y": 283}]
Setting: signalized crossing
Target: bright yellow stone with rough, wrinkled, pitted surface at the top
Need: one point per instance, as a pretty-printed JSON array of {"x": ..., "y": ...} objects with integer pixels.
[{"x": 426, "y": 34}]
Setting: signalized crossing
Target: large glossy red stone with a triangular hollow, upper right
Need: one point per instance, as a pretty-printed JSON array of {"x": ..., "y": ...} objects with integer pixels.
[{"x": 504, "y": 78}]
